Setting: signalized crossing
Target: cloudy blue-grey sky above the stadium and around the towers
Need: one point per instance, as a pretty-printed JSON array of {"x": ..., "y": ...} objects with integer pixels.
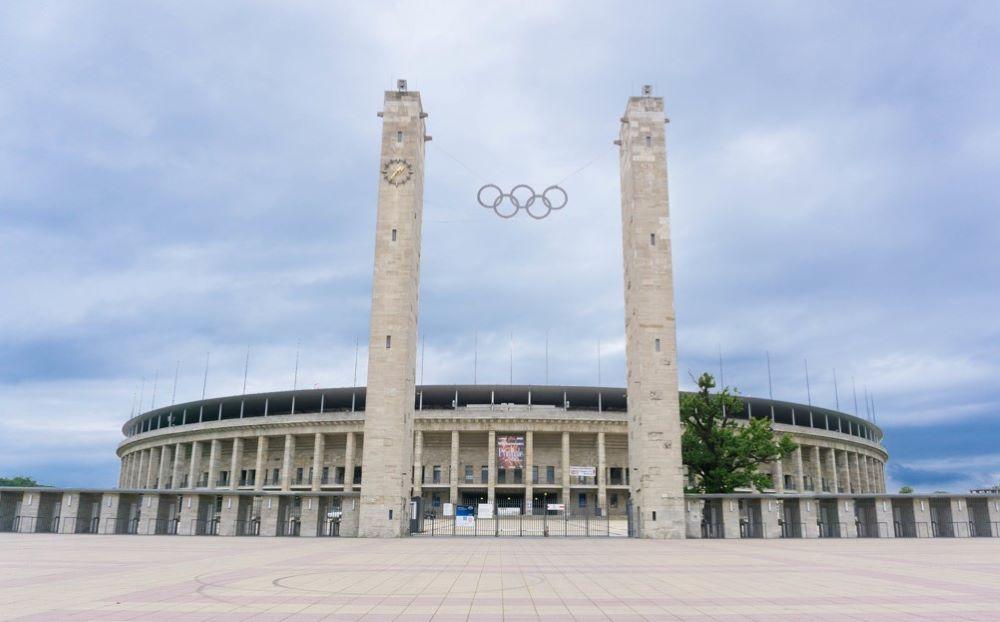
[{"x": 185, "y": 178}]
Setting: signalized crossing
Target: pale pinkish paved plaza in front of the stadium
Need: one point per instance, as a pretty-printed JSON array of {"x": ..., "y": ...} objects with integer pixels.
[{"x": 64, "y": 577}]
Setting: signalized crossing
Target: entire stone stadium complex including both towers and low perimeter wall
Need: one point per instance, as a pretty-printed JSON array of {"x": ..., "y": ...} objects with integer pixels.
[{"x": 393, "y": 458}]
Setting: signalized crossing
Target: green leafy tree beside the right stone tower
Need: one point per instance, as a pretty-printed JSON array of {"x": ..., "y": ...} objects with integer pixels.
[{"x": 721, "y": 453}]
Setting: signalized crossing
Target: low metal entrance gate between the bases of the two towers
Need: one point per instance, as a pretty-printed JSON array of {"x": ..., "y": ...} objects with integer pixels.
[{"x": 520, "y": 520}]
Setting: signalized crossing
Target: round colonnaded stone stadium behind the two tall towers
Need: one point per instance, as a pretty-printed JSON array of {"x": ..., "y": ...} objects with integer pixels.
[{"x": 571, "y": 448}]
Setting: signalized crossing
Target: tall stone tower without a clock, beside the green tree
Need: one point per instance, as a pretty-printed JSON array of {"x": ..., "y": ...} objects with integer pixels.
[{"x": 654, "y": 430}]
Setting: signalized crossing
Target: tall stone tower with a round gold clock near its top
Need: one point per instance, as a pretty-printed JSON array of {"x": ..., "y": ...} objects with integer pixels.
[{"x": 392, "y": 353}]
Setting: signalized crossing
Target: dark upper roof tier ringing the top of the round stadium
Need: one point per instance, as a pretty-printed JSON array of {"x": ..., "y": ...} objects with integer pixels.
[{"x": 473, "y": 398}]
